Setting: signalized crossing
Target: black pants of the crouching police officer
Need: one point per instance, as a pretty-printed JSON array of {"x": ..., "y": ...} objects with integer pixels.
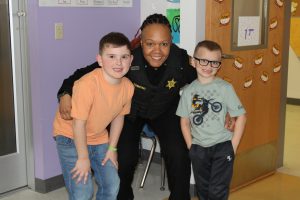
[{"x": 173, "y": 149}]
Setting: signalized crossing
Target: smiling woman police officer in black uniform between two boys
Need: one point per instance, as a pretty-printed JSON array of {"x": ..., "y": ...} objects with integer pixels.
[{"x": 159, "y": 69}]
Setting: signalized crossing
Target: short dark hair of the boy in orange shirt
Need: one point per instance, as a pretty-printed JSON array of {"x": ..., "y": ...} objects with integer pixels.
[{"x": 114, "y": 39}]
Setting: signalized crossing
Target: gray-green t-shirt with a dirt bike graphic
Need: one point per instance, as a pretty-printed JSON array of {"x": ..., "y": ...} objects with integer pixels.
[{"x": 206, "y": 106}]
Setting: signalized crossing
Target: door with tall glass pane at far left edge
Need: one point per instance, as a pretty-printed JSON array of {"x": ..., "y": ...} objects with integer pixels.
[{"x": 12, "y": 141}]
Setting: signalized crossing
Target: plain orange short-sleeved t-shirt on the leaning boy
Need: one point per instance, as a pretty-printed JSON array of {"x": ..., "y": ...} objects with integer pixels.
[{"x": 97, "y": 102}]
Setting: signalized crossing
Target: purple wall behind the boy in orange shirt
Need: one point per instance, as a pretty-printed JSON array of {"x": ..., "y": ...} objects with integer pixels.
[{"x": 53, "y": 60}]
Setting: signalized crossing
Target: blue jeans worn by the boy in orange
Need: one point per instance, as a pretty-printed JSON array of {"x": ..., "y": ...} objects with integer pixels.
[{"x": 106, "y": 176}]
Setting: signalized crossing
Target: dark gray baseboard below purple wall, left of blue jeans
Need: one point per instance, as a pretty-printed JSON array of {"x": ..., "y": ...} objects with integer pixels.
[{"x": 48, "y": 185}]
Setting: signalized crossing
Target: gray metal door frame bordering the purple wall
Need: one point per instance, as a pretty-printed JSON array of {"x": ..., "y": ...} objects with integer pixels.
[{"x": 25, "y": 94}]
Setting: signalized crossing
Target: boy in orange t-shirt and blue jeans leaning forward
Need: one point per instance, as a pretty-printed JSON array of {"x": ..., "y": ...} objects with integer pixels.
[{"x": 100, "y": 98}]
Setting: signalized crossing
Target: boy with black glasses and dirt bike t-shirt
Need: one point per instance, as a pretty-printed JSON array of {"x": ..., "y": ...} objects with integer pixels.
[{"x": 202, "y": 108}]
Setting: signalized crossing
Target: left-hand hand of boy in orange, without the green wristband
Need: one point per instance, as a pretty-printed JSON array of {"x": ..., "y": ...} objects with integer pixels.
[{"x": 81, "y": 170}]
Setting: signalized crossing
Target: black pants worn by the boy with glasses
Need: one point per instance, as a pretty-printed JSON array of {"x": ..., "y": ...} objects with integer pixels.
[{"x": 213, "y": 168}]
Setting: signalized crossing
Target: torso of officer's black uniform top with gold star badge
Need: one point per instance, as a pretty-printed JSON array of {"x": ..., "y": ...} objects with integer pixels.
[{"x": 157, "y": 89}]
